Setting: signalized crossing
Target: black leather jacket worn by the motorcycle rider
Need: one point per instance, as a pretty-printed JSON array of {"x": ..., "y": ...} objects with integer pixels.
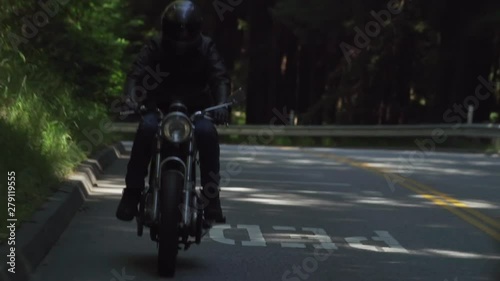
[{"x": 198, "y": 78}]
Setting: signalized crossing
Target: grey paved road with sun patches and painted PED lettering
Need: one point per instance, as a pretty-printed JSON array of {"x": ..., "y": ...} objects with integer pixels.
[{"x": 310, "y": 214}]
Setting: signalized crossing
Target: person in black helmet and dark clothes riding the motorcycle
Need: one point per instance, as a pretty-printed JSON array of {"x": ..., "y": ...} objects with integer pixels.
[{"x": 179, "y": 64}]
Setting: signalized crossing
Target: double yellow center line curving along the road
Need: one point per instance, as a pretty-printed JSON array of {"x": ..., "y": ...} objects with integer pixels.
[{"x": 443, "y": 200}]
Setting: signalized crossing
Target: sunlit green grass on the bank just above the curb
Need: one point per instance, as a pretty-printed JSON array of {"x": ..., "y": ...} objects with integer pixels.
[{"x": 41, "y": 143}]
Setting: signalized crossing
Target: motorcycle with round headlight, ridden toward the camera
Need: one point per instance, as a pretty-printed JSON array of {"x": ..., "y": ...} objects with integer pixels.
[{"x": 171, "y": 206}]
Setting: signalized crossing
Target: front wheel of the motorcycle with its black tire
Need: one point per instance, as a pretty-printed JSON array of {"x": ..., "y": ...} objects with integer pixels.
[{"x": 170, "y": 216}]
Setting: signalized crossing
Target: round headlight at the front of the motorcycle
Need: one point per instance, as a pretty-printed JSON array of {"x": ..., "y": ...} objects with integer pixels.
[{"x": 176, "y": 127}]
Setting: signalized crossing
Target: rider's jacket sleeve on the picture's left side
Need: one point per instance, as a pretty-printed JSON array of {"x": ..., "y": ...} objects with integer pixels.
[{"x": 133, "y": 88}]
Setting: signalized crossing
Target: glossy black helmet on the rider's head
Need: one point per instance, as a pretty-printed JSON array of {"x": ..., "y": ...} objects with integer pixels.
[{"x": 181, "y": 26}]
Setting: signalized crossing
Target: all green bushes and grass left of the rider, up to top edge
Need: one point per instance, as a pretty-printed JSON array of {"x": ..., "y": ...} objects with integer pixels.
[{"x": 56, "y": 78}]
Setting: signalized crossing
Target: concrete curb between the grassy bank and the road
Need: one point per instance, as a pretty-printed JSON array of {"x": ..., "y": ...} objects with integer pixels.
[{"x": 34, "y": 239}]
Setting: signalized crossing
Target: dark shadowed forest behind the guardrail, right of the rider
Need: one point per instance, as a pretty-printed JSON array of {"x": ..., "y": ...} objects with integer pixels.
[{"x": 368, "y": 62}]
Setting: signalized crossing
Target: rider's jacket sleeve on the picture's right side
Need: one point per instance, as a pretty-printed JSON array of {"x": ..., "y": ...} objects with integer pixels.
[{"x": 219, "y": 79}]
